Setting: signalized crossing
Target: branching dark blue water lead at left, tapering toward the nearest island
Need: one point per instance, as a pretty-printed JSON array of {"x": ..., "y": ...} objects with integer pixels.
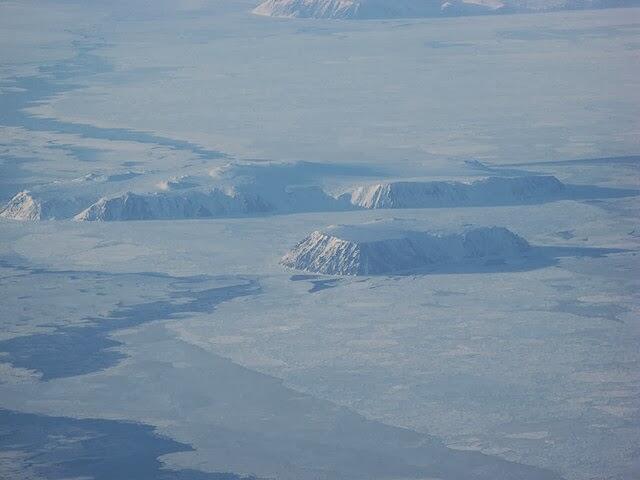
[{"x": 77, "y": 350}]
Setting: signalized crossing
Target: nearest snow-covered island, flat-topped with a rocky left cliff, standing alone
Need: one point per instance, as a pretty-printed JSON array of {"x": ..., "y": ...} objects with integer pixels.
[{"x": 392, "y": 246}]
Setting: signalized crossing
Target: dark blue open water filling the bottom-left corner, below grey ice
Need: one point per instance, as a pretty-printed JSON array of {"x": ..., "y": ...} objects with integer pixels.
[{"x": 61, "y": 447}]
